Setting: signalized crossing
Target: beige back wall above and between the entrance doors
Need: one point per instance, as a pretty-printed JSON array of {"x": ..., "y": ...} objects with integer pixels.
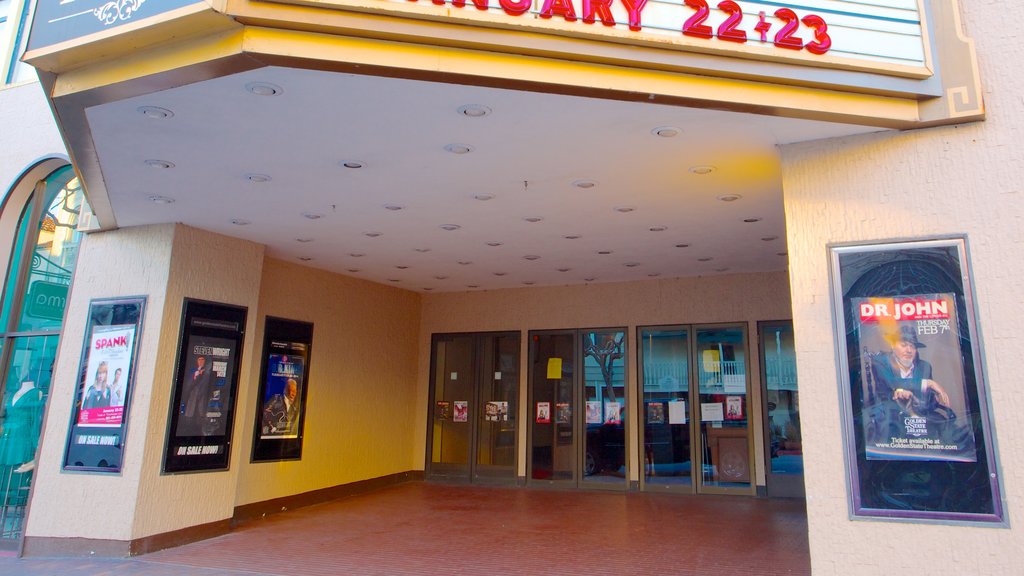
[{"x": 741, "y": 299}]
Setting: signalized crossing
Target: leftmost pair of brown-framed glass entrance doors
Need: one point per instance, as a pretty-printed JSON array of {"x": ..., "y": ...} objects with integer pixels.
[{"x": 475, "y": 393}]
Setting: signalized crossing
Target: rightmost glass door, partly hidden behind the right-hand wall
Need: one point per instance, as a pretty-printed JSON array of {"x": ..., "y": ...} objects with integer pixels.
[{"x": 784, "y": 444}]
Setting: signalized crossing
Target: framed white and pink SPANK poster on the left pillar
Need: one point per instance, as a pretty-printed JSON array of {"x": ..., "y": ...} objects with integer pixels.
[{"x": 106, "y": 380}]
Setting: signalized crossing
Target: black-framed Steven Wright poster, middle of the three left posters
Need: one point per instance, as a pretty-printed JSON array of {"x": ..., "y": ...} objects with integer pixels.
[{"x": 206, "y": 380}]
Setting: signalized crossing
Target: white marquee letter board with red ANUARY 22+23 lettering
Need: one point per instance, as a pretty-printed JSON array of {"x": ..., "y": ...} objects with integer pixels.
[{"x": 883, "y": 36}]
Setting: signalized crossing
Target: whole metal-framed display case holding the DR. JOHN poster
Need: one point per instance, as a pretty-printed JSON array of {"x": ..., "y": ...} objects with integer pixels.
[{"x": 918, "y": 434}]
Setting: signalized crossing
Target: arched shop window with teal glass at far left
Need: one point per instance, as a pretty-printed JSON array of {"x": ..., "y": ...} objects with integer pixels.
[{"x": 35, "y": 294}]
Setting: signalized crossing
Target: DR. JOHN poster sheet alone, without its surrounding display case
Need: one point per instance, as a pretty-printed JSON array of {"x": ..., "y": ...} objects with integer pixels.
[{"x": 912, "y": 379}]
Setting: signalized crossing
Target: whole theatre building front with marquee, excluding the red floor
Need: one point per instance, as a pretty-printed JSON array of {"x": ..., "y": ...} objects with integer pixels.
[{"x": 236, "y": 166}]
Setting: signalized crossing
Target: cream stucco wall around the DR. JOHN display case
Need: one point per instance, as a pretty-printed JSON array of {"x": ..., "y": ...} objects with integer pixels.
[{"x": 950, "y": 181}]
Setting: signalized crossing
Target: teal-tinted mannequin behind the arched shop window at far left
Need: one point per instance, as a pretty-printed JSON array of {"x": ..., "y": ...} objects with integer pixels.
[{"x": 21, "y": 422}]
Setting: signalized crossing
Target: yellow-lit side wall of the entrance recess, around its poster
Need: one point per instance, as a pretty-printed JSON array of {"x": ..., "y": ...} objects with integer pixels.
[{"x": 362, "y": 400}]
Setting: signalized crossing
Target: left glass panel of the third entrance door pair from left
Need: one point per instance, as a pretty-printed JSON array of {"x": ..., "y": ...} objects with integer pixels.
[{"x": 665, "y": 380}]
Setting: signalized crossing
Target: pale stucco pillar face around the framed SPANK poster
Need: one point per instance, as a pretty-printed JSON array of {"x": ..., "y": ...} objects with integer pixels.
[{"x": 125, "y": 263}]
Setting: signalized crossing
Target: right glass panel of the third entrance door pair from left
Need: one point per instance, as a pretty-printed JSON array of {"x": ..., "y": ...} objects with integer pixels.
[{"x": 727, "y": 450}]
